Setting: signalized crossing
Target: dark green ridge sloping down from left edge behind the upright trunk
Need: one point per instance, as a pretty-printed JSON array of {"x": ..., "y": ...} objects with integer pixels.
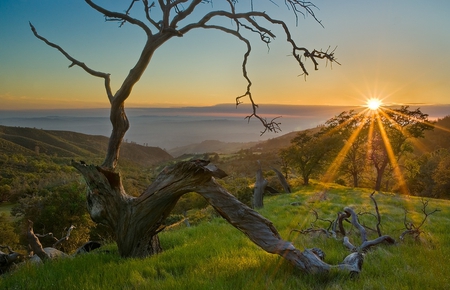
[{"x": 29, "y": 141}]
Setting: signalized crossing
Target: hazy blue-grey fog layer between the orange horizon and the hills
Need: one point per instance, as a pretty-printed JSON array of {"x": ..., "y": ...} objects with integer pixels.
[{"x": 173, "y": 127}]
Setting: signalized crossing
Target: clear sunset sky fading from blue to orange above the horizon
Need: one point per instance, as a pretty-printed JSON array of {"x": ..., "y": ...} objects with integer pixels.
[{"x": 392, "y": 50}]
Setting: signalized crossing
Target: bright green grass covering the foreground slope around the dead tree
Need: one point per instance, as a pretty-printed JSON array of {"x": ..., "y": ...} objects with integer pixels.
[{"x": 214, "y": 255}]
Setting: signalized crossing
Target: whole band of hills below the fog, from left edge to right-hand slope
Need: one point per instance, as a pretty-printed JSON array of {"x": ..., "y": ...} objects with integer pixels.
[{"x": 31, "y": 141}]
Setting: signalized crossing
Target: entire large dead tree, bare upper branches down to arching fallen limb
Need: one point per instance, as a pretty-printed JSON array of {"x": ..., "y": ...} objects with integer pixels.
[{"x": 136, "y": 221}]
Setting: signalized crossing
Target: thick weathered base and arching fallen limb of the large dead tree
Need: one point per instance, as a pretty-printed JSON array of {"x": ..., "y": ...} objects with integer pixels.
[{"x": 136, "y": 221}]
